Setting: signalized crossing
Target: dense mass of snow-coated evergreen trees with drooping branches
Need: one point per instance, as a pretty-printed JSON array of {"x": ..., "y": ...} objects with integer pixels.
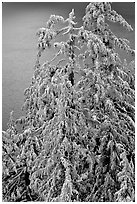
[{"x": 77, "y": 139}]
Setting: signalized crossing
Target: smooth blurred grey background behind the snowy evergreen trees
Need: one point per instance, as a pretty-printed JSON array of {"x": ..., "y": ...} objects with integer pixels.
[{"x": 20, "y": 22}]
